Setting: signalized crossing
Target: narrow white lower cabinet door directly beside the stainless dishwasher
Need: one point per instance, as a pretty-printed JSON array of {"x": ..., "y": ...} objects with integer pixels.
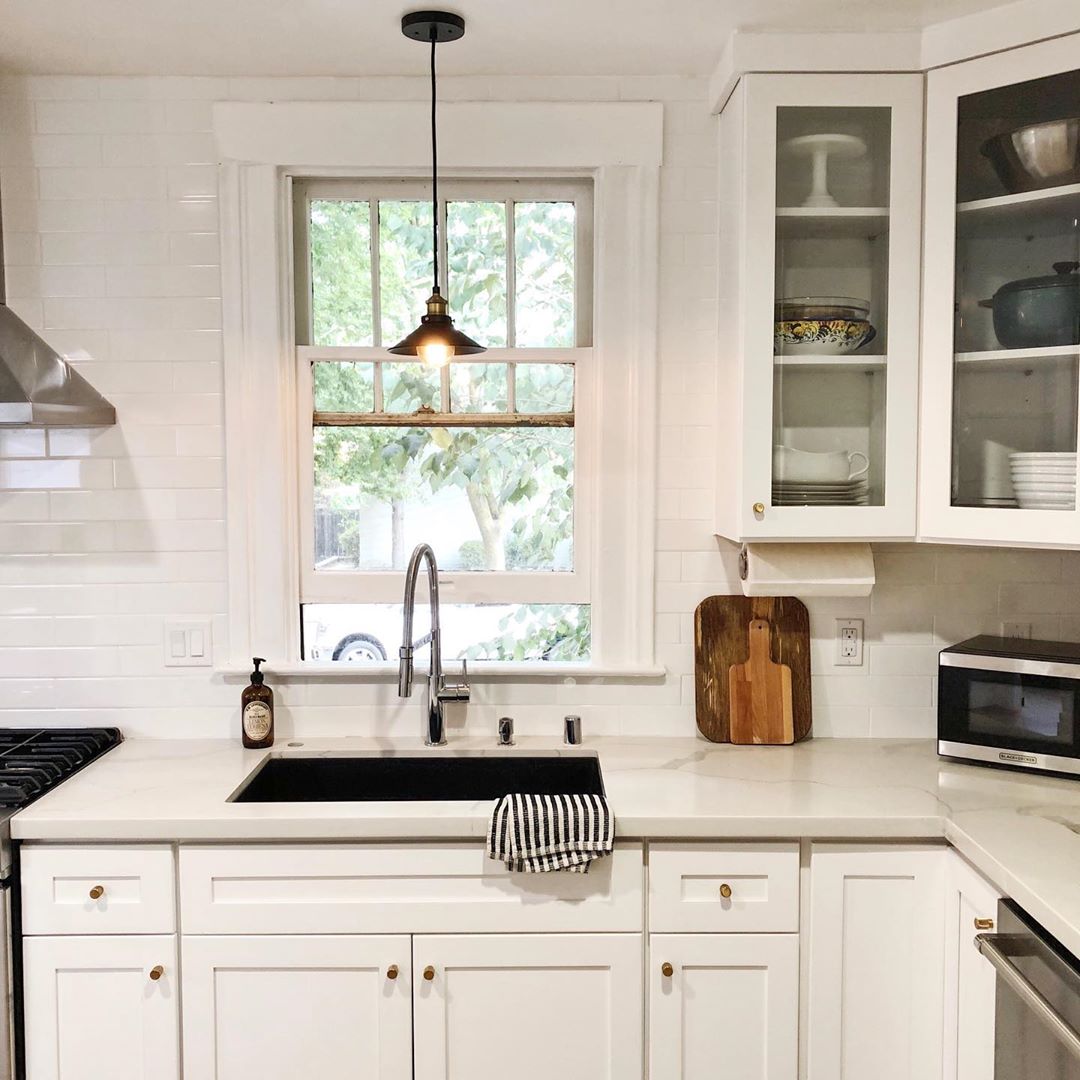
[{"x": 971, "y": 907}]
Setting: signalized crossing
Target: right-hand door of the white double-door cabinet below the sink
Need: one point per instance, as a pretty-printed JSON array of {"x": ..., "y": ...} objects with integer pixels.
[{"x": 536, "y": 1006}]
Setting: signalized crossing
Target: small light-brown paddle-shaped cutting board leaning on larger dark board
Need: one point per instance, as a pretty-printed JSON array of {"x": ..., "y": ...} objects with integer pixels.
[{"x": 760, "y": 695}]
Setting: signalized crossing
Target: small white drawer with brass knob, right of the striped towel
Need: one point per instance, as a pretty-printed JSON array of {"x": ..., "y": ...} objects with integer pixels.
[{"x": 737, "y": 888}]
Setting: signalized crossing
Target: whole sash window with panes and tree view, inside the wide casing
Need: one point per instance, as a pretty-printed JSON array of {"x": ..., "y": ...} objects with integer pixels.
[{"x": 487, "y": 458}]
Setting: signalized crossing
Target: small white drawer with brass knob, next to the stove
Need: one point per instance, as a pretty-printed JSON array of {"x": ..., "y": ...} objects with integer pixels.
[{"x": 98, "y": 890}]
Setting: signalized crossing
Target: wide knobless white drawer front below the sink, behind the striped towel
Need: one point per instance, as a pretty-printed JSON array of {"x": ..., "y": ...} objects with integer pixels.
[{"x": 453, "y": 888}]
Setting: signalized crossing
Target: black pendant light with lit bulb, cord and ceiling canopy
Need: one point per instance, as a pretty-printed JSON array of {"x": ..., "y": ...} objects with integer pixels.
[{"x": 436, "y": 341}]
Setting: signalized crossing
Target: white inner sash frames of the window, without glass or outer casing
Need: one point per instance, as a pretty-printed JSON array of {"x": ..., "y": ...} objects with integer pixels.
[{"x": 511, "y": 587}]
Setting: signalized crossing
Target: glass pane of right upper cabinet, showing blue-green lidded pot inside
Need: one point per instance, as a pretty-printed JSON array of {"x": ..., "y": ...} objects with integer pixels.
[{"x": 1018, "y": 296}]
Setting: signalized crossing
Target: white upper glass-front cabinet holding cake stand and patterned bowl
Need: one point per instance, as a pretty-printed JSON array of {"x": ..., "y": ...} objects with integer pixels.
[{"x": 820, "y": 211}]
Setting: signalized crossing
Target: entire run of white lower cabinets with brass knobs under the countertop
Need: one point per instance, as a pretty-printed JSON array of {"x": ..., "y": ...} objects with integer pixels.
[{"x": 424, "y": 995}]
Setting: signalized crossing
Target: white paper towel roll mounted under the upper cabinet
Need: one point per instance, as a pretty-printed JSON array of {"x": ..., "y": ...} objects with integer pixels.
[{"x": 807, "y": 570}]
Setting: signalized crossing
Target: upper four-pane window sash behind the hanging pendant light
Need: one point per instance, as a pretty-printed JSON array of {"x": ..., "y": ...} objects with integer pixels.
[{"x": 370, "y": 265}]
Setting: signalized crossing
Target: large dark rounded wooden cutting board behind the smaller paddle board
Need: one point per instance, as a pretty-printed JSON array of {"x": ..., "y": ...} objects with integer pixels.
[{"x": 722, "y": 639}]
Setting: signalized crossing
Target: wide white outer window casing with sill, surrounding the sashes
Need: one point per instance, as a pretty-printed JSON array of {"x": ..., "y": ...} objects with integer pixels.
[{"x": 263, "y": 147}]
